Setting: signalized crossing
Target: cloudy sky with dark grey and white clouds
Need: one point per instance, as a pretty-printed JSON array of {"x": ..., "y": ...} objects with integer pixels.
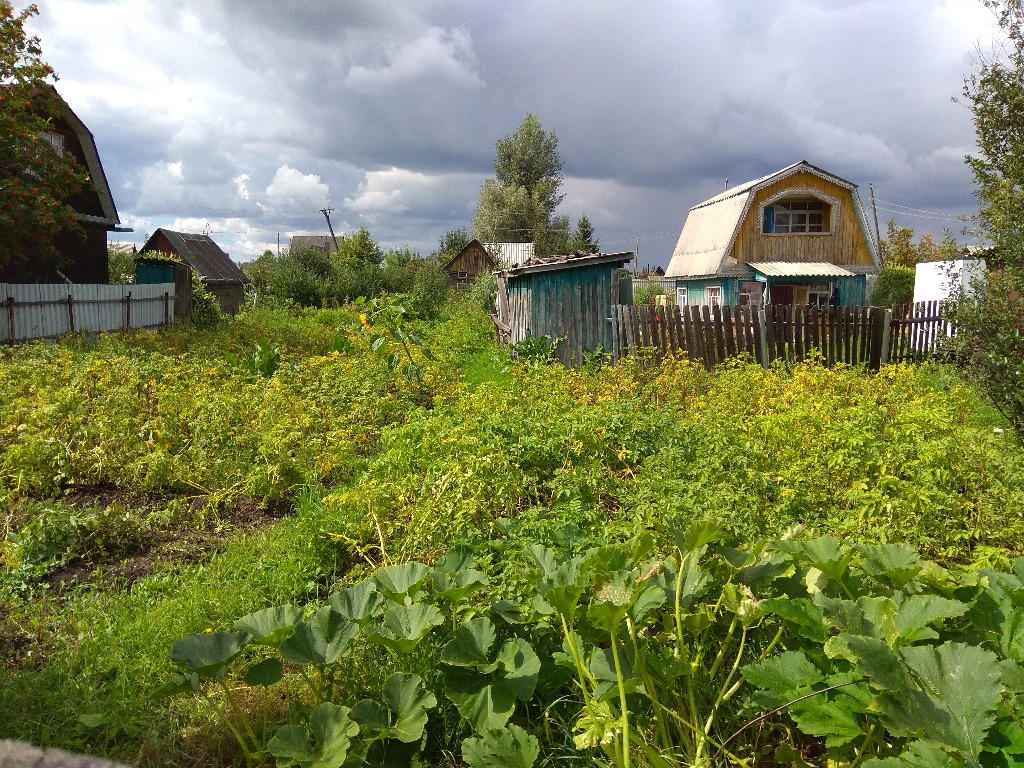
[{"x": 246, "y": 117}]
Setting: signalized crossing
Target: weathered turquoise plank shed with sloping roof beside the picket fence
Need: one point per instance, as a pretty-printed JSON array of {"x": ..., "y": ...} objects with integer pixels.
[{"x": 568, "y": 297}]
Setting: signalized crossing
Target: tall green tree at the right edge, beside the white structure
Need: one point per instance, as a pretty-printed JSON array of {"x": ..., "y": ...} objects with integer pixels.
[{"x": 990, "y": 340}]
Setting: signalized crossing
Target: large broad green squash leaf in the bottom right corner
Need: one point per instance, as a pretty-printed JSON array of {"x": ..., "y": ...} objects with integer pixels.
[{"x": 956, "y": 705}]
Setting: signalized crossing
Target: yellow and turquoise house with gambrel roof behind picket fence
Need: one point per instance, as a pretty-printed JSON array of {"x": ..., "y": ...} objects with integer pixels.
[{"x": 799, "y": 236}]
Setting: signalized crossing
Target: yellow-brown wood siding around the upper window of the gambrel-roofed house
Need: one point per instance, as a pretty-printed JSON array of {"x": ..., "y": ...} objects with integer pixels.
[{"x": 847, "y": 244}]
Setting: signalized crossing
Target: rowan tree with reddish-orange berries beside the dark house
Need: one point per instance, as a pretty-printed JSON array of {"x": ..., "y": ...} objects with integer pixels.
[{"x": 35, "y": 181}]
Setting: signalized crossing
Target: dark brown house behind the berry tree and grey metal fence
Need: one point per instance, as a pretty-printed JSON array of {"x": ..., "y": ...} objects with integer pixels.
[{"x": 84, "y": 259}]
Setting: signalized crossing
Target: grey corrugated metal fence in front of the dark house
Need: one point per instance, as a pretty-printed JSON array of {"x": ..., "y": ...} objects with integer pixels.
[{"x": 39, "y": 312}]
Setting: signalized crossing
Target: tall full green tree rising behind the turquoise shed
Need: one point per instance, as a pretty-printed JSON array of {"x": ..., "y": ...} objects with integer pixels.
[{"x": 519, "y": 205}]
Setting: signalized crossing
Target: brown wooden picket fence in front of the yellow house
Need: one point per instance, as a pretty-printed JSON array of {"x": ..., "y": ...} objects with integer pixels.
[{"x": 871, "y": 336}]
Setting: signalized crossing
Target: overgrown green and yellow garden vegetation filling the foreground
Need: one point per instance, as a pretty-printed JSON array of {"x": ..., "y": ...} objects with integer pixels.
[{"x": 211, "y": 537}]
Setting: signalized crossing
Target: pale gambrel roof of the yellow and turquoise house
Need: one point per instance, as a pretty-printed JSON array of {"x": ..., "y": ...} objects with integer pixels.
[{"x": 705, "y": 246}]
